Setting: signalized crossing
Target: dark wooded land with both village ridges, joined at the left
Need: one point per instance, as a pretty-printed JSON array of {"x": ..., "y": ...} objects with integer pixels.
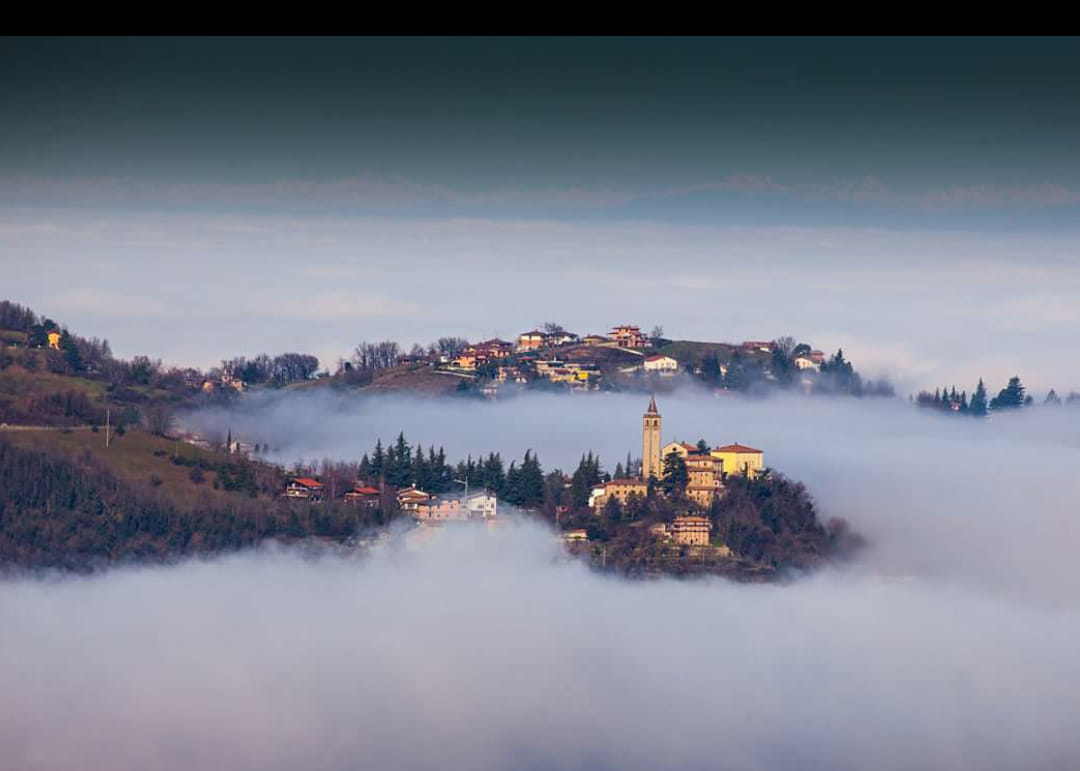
[{"x": 94, "y": 470}]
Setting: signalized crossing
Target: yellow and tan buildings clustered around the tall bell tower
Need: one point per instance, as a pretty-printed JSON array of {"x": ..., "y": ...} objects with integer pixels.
[{"x": 707, "y": 469}]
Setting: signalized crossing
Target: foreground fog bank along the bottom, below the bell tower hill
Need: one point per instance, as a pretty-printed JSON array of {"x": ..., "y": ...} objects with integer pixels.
[{"x": 481, "y": 653}]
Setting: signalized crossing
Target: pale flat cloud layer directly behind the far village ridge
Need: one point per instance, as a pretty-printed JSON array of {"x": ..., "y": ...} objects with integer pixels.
[{"x": 924, "y": 307}]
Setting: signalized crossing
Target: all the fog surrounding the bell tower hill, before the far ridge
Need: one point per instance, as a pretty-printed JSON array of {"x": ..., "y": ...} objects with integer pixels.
[{"x": 948, "y": 643}]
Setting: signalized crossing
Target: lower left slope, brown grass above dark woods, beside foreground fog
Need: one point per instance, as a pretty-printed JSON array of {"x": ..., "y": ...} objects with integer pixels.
[{"x": 69, "y": 503}]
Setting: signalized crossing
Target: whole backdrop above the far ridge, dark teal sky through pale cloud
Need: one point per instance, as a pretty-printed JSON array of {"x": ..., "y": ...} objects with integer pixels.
[{"x": 913, "y": 201}]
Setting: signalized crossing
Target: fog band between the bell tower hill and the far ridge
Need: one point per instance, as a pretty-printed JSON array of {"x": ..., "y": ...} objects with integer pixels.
[{"x": 987, "y": 504}]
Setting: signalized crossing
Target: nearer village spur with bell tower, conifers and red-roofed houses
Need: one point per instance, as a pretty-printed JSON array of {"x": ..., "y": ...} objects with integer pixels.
[{"x": 680, "y": 508}]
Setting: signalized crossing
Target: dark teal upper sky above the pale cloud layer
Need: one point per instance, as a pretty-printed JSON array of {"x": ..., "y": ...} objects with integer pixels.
[{"x": 654, "y": 119}]
